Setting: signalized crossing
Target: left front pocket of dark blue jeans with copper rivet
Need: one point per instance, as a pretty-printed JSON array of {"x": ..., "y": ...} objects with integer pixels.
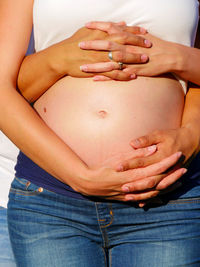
[{"x": 23, "y": 187}]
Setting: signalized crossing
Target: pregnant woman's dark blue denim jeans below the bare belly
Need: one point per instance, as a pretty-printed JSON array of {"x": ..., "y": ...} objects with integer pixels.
[{"x": 48, "y": 229}]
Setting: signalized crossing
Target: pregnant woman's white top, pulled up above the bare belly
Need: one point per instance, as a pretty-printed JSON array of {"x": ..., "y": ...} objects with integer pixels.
[{"x": 172, "y": 20}]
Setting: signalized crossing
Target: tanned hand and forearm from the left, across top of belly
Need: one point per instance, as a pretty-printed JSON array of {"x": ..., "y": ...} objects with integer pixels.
[{"x": 66, "y": 58}]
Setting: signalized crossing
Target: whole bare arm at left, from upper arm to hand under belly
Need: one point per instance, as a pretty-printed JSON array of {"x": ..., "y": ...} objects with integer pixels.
[{"x": 38, "y": 141}]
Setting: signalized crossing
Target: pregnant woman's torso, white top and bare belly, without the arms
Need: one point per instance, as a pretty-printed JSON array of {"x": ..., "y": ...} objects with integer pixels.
[{"x": 98, "y": 120}]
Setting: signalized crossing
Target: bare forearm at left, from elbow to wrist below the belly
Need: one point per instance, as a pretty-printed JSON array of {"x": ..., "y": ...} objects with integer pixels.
[{"x": 24, "y": 127}]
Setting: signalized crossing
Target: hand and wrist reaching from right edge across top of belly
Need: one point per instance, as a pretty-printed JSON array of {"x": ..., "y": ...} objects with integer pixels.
[{"x": 182, "y": 60}]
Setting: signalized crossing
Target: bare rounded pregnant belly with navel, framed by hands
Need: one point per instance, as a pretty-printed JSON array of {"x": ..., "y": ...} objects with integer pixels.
[{"x": 99, "y": 119}]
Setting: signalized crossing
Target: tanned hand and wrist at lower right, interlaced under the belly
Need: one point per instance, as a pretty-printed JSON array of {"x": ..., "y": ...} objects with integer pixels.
[{"x": 185, "y": 139}]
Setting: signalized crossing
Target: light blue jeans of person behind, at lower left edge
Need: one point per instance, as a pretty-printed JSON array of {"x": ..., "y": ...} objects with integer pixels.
[{"x": 6, "y": 255}]
